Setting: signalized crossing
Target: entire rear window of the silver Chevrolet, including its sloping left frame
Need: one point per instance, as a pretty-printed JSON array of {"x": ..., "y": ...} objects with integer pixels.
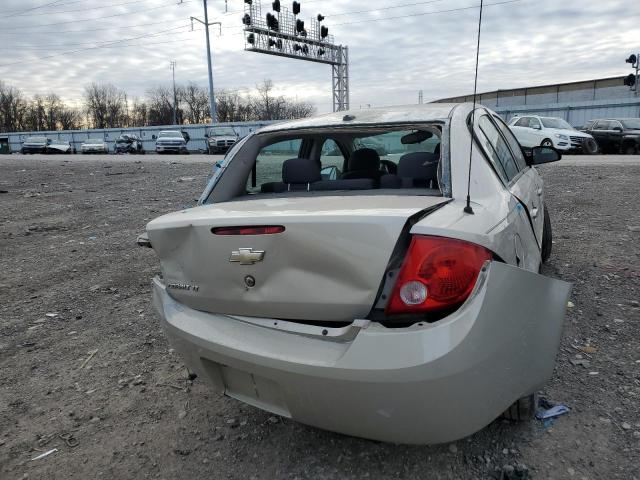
[{"x": 394, "y": 160}]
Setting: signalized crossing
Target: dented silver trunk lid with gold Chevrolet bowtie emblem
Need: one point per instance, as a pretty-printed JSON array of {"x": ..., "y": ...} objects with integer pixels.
[{"x": 327, "y": 264}]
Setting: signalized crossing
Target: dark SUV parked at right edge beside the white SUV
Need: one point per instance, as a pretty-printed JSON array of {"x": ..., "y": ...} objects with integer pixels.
[{"x": 616, "y": 135}]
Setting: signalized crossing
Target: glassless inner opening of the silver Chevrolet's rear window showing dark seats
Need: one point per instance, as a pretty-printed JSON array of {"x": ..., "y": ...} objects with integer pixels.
[{"x": 392, "y": 160}]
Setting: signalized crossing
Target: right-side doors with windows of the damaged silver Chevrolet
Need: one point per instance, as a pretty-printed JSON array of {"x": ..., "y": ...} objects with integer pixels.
[{"x": 523, "y": 183}]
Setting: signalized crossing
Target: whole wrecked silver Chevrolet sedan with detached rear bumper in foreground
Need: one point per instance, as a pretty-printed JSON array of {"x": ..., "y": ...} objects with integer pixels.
[{"x": 363, "y": 294}]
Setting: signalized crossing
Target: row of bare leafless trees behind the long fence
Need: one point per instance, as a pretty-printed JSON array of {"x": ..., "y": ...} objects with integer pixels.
[{"x": 106, "y": 106}]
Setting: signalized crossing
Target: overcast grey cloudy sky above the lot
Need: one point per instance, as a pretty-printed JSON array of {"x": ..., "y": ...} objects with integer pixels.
[{"x": 397, "y": 47}]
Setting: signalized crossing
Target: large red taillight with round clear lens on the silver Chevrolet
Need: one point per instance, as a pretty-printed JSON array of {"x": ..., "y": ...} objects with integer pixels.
[{"x": 437, "y": 273}]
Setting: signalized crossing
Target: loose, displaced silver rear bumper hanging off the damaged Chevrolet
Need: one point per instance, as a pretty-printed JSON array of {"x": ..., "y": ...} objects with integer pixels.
[{"x": 424, "y": 384}]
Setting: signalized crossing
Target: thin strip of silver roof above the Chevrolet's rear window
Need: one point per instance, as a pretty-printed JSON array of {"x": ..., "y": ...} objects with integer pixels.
[{"x": 371, "y": 116}]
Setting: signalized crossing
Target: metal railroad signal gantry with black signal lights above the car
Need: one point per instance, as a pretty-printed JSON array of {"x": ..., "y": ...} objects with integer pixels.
[{"x": 284, "y": 34}]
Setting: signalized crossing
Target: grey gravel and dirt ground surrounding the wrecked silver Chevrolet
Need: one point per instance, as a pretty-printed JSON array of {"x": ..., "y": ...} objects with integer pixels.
[{"x": 81, "y": 352}]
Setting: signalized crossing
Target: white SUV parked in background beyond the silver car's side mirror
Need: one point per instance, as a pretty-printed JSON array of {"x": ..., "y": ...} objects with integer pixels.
[{"x": 533, "y": 131}]
